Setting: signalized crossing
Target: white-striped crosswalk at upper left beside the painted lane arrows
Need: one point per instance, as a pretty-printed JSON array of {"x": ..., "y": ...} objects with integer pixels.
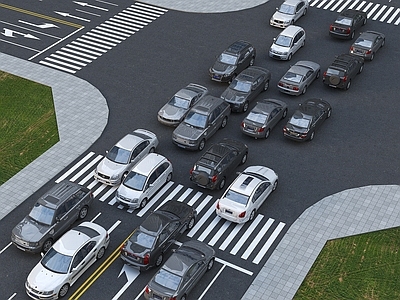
[{"x": 104, "y": 37}]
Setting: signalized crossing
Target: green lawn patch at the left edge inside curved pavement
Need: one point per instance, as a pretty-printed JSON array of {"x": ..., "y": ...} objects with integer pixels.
[{"x": 28, "y": 125}]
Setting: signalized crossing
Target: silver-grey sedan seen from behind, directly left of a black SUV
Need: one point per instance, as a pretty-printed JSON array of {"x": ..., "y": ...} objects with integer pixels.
[{"x": 299, "y": 77}]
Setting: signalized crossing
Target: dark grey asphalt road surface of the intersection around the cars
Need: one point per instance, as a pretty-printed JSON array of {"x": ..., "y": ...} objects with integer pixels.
[{"x": 357, "y": 146}]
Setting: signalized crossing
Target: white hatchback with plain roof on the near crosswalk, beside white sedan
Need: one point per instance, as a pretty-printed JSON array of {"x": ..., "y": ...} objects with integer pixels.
[{"x": 144, "y": 180}]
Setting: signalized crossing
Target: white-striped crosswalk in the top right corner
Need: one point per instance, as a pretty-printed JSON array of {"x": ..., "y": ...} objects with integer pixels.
[{"x": 375, "y": 11}]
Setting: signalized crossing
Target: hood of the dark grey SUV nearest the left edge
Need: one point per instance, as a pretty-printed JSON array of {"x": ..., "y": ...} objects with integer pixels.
[{"x": 29, "y": 230}]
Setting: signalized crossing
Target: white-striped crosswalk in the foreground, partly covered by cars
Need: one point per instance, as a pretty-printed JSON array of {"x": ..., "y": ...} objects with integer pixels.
[{"x": 251, "y": 241}]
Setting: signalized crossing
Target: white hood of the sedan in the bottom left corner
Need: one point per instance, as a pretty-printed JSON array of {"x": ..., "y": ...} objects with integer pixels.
[{"x": 42, "y": 279}]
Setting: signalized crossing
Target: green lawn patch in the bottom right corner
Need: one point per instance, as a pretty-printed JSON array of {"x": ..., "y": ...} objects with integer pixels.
[{"x": 365, "y": 266}]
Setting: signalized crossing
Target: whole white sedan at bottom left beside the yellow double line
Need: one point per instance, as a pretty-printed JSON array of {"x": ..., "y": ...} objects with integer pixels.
[{"x": 66, "y": 261}]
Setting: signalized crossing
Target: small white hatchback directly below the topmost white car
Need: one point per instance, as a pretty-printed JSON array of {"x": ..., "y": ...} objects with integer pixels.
[{"x": 287, "y": 43}]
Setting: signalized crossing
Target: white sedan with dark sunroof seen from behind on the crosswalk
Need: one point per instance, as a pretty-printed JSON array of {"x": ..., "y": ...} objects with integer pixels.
[{"x": 246, "y": 194}]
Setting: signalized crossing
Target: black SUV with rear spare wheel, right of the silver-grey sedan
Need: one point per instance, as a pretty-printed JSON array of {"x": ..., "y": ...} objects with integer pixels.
[{"x": 342, "y": 71}]
